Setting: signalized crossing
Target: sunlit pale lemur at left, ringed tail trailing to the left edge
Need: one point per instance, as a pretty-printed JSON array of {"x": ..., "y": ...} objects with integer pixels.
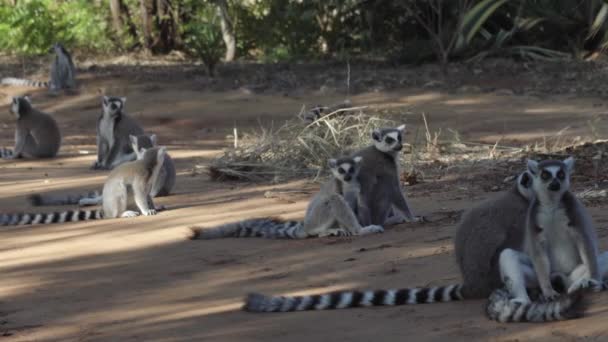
[{"x": 138, "y": 175}]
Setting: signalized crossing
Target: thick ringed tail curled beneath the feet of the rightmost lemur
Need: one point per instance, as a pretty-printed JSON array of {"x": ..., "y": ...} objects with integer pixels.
[{"x": 502, "y": 309}]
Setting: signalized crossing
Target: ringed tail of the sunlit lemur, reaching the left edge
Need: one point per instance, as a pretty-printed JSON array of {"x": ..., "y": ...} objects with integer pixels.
[{"x": 21, "y": 219}]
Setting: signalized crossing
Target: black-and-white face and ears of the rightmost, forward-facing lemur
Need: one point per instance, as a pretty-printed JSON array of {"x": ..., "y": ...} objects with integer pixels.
[{"x": 551, "y": 177}]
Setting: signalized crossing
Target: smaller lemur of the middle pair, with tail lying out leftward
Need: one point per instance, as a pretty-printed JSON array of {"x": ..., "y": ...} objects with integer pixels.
[{"x": 334, "y": 205}]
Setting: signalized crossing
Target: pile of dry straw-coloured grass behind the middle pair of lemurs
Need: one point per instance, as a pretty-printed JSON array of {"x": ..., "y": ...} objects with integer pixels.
[{"x": 296, "y": 149}]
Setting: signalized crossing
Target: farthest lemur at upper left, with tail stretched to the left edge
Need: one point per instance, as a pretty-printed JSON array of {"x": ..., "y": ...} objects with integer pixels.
[{"x": 63, "y": 72}]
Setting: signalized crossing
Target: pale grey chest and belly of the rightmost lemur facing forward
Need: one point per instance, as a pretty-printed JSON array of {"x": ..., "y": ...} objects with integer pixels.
[{"x": 558, "y": 240}]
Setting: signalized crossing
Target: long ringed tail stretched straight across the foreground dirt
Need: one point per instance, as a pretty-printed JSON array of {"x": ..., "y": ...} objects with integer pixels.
[{"x": 256, "y": 302}]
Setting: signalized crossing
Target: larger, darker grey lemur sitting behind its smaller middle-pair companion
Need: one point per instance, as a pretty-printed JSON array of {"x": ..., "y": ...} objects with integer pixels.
[{"x": 381, "y": 191}]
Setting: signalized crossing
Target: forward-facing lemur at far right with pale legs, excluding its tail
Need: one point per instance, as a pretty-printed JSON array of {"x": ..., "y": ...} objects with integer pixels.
[{"x": 559, "y": 238}]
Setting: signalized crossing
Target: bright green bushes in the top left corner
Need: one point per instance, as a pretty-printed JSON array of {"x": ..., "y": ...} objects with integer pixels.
[{"x": 32, "y": 26}]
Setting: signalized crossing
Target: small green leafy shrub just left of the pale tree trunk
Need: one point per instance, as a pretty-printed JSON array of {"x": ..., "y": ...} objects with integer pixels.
[{"x": 203, "y": 39}]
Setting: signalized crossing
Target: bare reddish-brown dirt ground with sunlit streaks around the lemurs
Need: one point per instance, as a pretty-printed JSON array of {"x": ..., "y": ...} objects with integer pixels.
[{"x": 139, "y": 279}]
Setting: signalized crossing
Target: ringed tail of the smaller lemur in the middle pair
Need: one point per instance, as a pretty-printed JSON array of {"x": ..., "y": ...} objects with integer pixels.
[{"x": 269, "y": 228}]
